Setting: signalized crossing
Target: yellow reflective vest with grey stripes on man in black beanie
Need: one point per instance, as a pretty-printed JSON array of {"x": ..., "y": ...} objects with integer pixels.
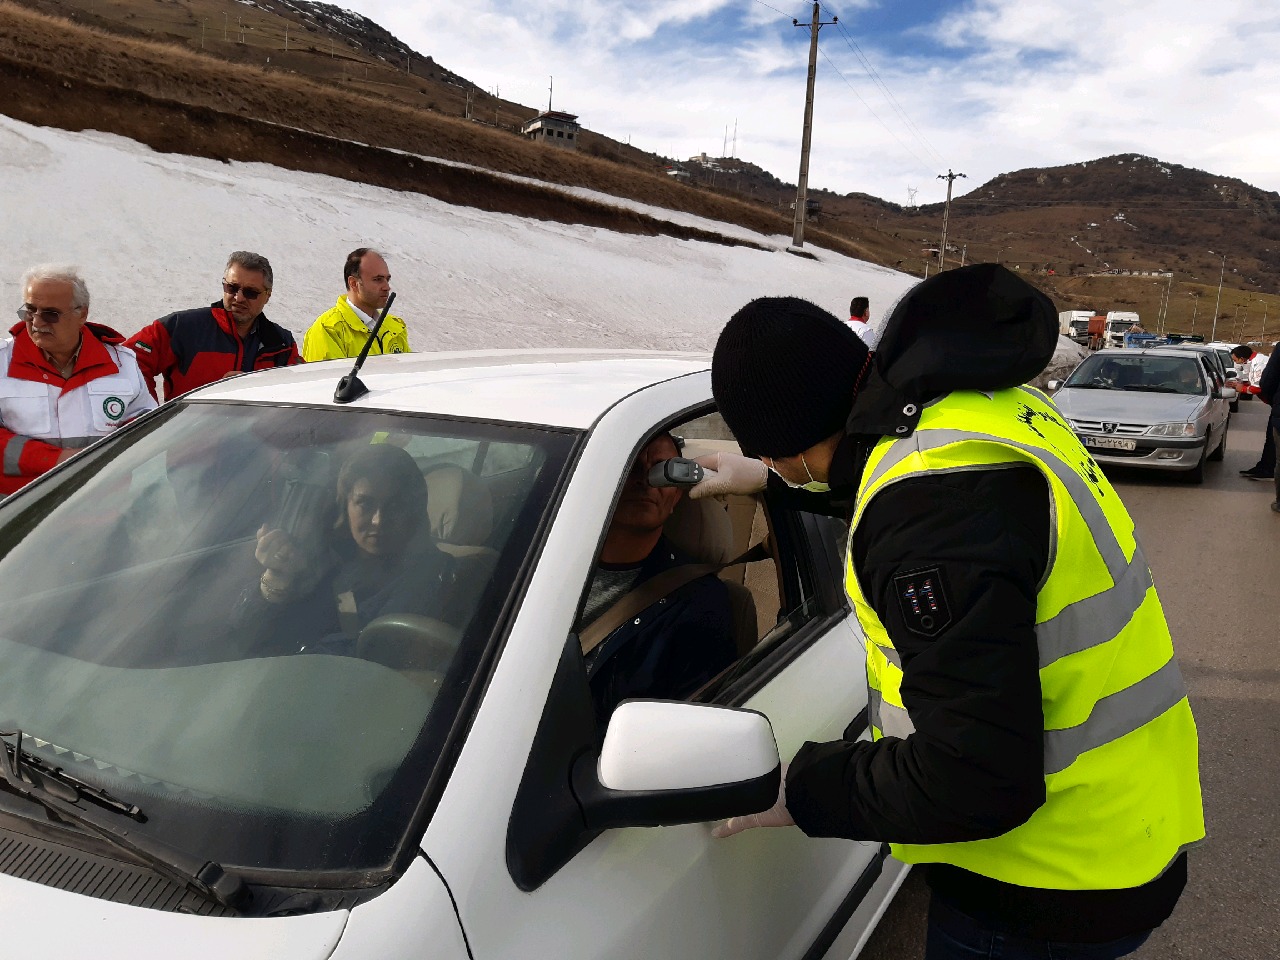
[{"x": 1123, "y": 796}]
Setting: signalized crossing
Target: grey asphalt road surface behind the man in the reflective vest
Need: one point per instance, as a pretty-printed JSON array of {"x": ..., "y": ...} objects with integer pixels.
[{"x": 1215, "y": 556}]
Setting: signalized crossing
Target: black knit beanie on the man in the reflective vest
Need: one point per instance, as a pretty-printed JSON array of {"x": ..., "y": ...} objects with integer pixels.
[{"x": 784, "y": 374}]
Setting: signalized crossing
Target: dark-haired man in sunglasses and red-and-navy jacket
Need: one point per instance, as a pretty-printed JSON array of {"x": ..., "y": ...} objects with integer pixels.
[{"x": 195, "y": 348}]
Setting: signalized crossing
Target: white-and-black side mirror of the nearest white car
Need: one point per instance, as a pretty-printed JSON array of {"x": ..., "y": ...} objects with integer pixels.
[{"x": 665, "y": 764}]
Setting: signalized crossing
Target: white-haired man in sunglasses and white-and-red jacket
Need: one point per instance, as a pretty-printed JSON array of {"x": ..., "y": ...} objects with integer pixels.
[{"x": 65, "y": 382}]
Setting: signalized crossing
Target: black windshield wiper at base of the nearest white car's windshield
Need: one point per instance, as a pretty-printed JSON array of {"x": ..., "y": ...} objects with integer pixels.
[{"x": 60, "y": 793}]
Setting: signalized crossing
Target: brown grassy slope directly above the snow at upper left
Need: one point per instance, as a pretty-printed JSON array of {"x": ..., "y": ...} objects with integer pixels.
[{"x": 60, "y": 74}]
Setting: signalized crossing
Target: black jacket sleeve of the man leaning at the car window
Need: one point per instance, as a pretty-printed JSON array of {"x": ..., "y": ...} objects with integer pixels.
[{"x": 975, "y": 766}]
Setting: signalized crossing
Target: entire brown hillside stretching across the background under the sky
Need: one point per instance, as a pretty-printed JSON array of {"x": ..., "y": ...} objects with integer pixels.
[{"x": 308, "y": 86}]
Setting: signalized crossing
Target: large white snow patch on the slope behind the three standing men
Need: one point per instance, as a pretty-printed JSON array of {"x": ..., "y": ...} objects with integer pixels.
[{"x": 152, "y": 234}]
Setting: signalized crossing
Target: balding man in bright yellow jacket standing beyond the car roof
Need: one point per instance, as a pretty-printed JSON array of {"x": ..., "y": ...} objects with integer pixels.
[{"x": 342, "y": 332}]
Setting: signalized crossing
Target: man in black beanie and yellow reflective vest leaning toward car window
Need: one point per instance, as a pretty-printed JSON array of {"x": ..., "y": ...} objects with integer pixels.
[{"x": 1032, "y": 742}]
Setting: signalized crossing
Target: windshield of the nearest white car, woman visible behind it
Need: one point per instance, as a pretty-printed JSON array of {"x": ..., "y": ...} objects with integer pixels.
[{"x": 259, "y": 624}]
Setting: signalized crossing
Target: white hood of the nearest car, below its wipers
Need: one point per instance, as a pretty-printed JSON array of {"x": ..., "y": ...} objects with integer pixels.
[{"x": 72, "y": 925}]
